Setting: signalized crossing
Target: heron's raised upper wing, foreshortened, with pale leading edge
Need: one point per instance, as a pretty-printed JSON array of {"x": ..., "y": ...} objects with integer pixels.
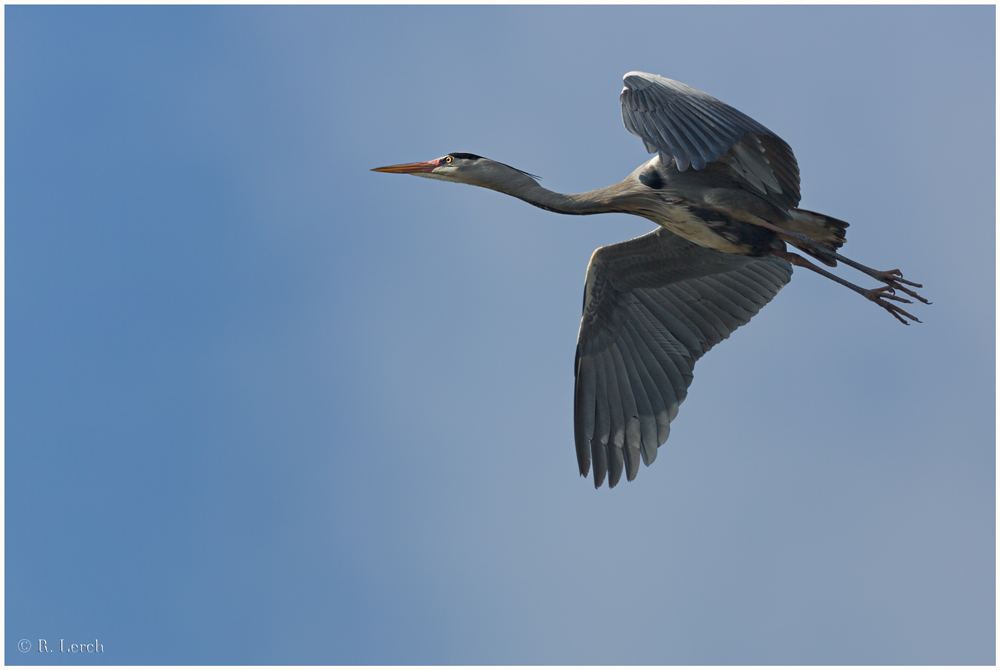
[{"x": 692, "y": 128}]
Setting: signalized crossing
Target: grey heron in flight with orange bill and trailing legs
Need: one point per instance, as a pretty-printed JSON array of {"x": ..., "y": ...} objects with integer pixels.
[{"x": 724, "y": 193}]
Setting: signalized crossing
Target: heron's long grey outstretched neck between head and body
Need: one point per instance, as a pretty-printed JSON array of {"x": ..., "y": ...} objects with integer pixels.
[{"x": 516, "y": 183}]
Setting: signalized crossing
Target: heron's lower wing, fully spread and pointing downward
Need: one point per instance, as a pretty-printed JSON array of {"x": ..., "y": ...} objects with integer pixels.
[{"x": 652, "y": 307}]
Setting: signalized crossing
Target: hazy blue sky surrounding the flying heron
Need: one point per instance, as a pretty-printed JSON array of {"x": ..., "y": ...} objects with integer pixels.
[{"x": 266, "y": 406}]
